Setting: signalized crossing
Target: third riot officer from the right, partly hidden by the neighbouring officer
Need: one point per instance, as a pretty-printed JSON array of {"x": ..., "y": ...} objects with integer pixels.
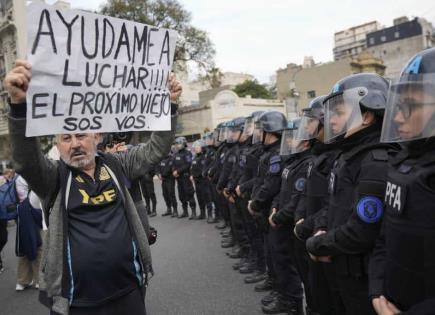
[{"x": 320, "y": 290}]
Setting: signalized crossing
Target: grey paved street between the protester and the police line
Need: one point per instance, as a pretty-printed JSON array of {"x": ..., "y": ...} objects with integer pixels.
[{"x": 193, "y": 274}]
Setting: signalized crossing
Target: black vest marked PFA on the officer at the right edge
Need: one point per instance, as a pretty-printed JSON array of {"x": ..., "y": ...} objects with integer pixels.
[{"x": 410, "y": 231}]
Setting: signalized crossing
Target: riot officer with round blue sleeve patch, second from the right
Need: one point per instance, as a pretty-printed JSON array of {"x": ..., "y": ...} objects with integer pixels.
[{"x": 354, "y": 109}]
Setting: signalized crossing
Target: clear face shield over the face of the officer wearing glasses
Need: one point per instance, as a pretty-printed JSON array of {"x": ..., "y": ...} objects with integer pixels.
[{"x": 410, "y": 112}]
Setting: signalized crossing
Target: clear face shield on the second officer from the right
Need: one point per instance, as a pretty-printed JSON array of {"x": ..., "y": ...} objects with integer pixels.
[{"x": 343, "y": 113}]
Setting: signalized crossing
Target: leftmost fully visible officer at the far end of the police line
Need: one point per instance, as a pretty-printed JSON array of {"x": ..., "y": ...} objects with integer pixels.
[{"x": 181, "y": 171}]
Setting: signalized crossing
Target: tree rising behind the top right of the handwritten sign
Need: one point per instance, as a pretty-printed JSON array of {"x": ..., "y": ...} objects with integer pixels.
[{"x": 193, "y": 45}]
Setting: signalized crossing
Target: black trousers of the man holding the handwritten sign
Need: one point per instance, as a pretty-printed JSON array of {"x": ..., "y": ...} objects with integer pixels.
[{"x": 131, "y": 304}]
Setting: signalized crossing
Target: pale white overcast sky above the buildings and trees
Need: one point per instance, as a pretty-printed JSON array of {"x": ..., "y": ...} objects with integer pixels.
[{"x": 260, "y": 36}]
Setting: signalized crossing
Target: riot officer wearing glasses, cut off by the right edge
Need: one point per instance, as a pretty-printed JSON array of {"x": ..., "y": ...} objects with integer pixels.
[{"x": 402, "y": 269}]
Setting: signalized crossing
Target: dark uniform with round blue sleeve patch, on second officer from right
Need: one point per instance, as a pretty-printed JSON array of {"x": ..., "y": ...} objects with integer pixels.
[{"x": 357, "y": 186}]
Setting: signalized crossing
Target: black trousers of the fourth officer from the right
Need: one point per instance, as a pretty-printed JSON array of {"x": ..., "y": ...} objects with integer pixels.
[{"x": 288, "y": 281}]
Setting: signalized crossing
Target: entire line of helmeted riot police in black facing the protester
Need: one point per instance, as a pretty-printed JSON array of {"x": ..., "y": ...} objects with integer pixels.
[{"x": 337, "y": 206}]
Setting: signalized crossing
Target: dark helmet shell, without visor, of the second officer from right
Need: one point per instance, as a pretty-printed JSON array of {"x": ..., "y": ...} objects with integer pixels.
[{"x": 371, "y": 88}]
